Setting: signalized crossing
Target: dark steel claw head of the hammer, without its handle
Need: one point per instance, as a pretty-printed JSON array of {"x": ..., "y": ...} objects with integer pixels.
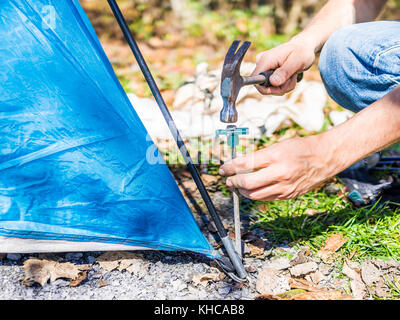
[{"x": 231, "y": 80}]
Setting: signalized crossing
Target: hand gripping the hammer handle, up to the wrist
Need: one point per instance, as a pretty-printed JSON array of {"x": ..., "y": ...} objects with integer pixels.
[{"x": 288, "y": 59}]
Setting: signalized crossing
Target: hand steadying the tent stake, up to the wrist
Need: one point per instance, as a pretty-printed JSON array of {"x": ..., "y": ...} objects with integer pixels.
[{"x": 284, "y": 170}]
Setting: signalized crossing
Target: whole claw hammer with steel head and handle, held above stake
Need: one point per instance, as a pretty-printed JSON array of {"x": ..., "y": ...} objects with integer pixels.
[{"x": 232, "y": 81}]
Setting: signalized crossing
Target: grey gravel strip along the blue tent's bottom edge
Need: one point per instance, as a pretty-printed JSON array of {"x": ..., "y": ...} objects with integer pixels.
[{"x": 169, "y": 276}]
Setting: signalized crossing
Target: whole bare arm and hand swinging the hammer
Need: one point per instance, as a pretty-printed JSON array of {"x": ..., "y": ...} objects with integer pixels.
[{"x": 299, "y": 53}]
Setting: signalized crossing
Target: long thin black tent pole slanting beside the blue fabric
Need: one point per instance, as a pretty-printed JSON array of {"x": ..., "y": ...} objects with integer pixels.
[{"x": 226, "y": 240}]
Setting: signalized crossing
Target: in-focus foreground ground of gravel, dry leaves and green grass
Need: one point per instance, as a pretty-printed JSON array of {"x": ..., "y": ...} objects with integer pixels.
[{"x": 316, "y": 247}]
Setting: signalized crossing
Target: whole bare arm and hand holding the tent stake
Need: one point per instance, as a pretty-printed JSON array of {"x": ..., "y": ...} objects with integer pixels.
[{"x": 295, "y": 166}]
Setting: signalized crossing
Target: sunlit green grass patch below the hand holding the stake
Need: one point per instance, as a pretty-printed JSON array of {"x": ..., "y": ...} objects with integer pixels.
[{"x": 372, "y": 232}]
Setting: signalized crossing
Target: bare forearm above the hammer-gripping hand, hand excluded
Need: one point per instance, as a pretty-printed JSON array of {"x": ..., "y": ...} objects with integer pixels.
[{"x": 336, "y": 14}]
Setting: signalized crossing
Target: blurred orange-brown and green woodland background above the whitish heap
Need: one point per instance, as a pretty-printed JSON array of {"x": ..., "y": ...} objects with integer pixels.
[{"x": 176, "y": 35}]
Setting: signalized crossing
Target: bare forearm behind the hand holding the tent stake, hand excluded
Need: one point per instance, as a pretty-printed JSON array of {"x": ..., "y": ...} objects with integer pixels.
[{"x": 370, "y": 130}]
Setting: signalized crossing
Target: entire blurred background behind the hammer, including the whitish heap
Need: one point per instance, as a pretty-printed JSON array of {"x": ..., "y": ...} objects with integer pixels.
[{"x": 184, "y": 43}]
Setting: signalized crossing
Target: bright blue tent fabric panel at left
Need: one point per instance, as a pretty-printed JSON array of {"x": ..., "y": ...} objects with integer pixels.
[{"x": 76, "y": 163}]
